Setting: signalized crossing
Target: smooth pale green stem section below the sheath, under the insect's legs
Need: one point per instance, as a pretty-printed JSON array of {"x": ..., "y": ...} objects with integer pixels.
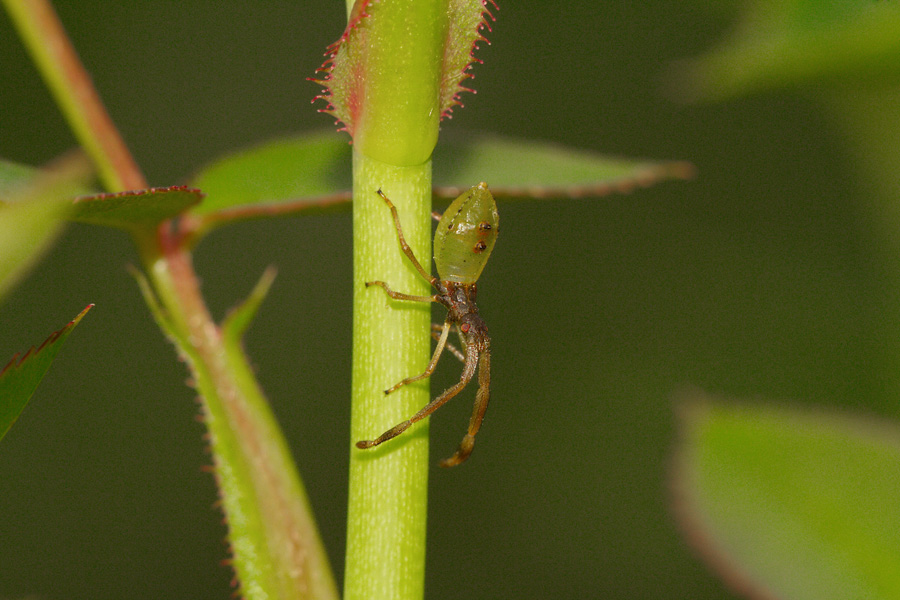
[{"x": 391, "y": 341}]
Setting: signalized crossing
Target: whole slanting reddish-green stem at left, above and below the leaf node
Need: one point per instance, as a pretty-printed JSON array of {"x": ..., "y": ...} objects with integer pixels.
[{"x": 278, "y": 554}]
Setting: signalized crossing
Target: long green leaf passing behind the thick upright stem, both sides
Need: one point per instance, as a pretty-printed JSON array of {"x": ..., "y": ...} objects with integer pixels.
[{"x": 311, "y": 173}]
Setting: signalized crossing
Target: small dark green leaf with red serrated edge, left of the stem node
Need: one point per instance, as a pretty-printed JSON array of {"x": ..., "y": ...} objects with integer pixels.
[{"x": 138, "y": 209}]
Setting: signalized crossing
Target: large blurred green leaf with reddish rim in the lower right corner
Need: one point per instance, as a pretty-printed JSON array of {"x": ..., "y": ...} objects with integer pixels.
[{"x": 792, "y": 503}]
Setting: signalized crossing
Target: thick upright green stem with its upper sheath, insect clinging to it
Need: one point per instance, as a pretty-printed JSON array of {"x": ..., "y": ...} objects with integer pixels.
[{"x": 387, "y": 81}]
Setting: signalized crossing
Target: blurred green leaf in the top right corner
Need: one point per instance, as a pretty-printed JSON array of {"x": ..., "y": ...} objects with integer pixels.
[{"x": 800, "y": 43}]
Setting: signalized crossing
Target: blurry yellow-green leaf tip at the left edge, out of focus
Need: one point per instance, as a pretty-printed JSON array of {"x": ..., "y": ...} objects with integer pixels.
[{"x": 33, "y": 207}]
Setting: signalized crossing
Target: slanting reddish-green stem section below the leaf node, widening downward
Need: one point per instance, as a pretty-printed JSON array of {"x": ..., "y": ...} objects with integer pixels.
[{"x": 276, "y": 547}]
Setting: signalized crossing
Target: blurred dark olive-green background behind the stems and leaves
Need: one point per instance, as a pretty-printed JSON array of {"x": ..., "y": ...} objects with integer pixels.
[{"x": 759, "y": 279}]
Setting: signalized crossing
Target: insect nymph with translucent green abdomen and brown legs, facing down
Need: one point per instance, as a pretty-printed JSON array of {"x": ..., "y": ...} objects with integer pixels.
[{"x": 462, "y": 244}]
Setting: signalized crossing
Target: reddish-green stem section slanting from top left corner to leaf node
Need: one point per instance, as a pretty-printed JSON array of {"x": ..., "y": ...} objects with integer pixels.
[{"x": 71, "y": 86}]
